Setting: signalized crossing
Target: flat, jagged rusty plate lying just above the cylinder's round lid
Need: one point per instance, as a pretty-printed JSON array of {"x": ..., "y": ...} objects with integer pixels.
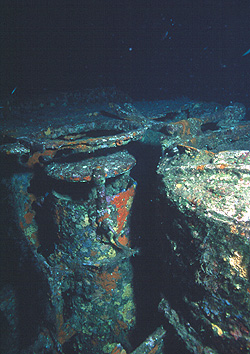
[{"x": 34, "y": 147}]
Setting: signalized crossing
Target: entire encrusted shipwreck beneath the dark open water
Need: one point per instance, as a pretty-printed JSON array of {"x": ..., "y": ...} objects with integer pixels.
[{"x": 67, "y": 197}]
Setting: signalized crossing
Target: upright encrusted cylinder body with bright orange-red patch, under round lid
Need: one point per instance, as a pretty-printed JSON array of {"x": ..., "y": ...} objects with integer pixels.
[{"x": 92, "y": 226}]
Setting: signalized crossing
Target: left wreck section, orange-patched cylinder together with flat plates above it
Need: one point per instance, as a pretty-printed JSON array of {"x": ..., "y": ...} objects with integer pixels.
[{"x": 83, "y": 251}]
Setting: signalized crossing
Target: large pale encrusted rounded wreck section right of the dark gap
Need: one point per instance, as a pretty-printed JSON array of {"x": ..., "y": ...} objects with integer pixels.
[{"x": 206, "y": 197}]
